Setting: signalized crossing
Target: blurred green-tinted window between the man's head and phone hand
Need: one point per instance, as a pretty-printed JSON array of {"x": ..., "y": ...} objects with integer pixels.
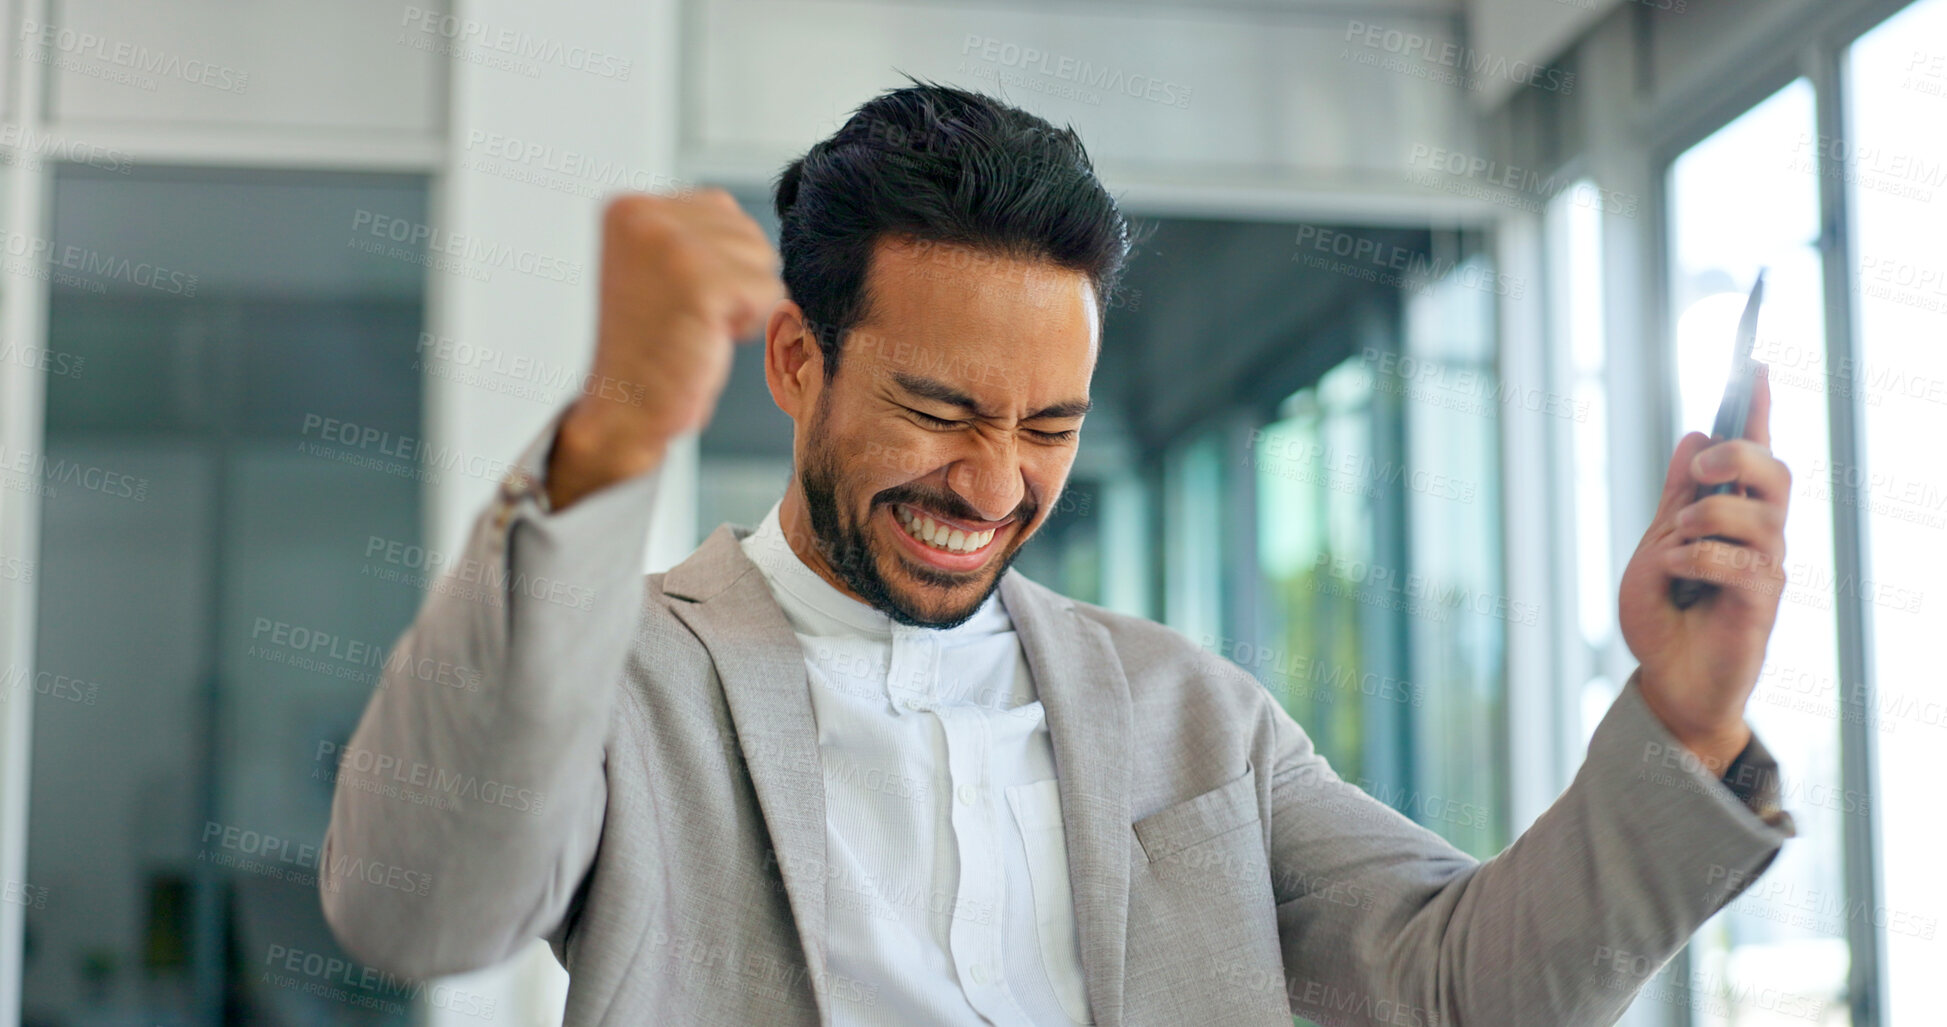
[{"x": 1383, "y": 619}]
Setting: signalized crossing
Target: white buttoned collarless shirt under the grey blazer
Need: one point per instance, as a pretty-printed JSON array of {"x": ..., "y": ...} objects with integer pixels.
[{"x": 947, "y": 882}]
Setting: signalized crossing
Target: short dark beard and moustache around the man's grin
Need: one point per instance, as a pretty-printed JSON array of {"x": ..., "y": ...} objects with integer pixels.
[{"x": 854, "y": 556}]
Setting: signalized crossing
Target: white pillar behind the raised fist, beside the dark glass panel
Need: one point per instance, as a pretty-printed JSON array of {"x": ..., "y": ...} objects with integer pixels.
[{"x": 517, "y": 174}]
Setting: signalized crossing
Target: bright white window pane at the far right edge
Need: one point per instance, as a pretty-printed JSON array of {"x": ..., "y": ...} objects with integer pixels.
[{"x": 1897, "y": 172}]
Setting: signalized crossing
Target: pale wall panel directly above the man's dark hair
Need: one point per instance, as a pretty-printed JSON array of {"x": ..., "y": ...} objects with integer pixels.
[{"x": 1226, "y": 98}]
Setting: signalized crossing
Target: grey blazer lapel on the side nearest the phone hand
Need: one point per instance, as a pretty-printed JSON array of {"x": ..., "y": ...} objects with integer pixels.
[{"x": 1087, "y": 703}]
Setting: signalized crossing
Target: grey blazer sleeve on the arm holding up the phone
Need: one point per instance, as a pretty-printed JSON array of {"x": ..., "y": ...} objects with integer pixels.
[{"x": 1385, "y": 923}]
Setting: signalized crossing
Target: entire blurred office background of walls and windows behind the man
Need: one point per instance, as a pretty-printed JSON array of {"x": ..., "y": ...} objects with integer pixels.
[{"x": 1430, "y": 291}]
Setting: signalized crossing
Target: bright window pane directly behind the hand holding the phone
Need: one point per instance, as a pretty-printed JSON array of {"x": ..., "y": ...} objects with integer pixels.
[{"x": 1742, "y": 200}]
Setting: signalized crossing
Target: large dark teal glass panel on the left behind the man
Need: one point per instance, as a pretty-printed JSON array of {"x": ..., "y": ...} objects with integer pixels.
[{"x": 231, "y": 545}]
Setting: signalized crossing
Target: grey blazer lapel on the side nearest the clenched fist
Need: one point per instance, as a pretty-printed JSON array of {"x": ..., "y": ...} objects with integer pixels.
[{"x": 762, "y": 669}]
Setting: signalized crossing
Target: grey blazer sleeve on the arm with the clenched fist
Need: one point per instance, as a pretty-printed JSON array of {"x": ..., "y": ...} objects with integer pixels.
[{"x": 468, "y": 804}]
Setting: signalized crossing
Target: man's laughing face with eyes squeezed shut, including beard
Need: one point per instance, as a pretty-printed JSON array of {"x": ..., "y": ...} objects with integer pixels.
[{"x": 943, "y": 439}]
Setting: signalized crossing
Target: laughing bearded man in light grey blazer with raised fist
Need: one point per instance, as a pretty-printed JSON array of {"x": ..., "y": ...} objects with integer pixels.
[{"x": 850, "y": 769}]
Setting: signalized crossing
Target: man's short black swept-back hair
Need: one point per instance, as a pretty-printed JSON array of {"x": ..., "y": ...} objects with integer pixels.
[{"x": 943, "y": 167}]
